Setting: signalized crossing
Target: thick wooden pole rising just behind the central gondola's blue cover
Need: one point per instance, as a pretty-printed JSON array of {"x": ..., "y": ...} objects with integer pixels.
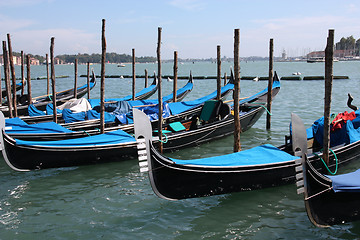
[{"x": 237, "y": 145}]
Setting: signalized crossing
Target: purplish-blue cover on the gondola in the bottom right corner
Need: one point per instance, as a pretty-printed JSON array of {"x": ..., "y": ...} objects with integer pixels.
[{"x": 349, "y": 182}]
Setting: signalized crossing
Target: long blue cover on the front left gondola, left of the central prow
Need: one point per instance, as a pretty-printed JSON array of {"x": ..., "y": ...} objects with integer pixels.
[{"x": 115, "y": 137}]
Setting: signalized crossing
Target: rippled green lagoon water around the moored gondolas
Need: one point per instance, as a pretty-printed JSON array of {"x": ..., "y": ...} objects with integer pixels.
[{"x": 115, "y": 201}]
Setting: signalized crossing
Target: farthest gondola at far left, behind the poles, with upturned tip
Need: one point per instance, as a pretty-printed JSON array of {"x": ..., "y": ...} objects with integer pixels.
[{"x": 41, "y": 102}]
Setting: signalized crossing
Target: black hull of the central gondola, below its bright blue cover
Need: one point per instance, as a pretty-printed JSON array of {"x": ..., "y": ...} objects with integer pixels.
[{"x": 173, "y": 182}]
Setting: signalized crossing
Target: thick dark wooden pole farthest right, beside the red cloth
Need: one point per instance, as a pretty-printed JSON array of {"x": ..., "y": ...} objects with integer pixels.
[{"x": 329, "y": 57}]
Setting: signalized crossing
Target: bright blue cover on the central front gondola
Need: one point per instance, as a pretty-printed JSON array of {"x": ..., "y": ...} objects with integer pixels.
[{"x": 266, "y": 154}]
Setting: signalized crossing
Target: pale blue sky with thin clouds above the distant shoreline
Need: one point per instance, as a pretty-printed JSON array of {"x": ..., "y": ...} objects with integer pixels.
[{"x": 193, "y": 28}]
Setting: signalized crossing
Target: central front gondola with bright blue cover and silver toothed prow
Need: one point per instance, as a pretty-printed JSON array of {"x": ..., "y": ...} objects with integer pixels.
[{"x": 256, "y": 168}]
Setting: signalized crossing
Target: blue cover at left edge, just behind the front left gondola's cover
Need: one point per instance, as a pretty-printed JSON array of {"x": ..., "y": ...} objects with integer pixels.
[{"x": 18, "y": 126}]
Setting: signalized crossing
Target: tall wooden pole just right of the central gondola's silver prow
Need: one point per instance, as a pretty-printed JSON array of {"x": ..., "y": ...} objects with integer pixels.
[{"x": 159, "y": 90}]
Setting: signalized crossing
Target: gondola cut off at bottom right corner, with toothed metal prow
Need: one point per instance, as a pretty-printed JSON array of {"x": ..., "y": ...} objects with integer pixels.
[{"x": 329, "y": 199}]
